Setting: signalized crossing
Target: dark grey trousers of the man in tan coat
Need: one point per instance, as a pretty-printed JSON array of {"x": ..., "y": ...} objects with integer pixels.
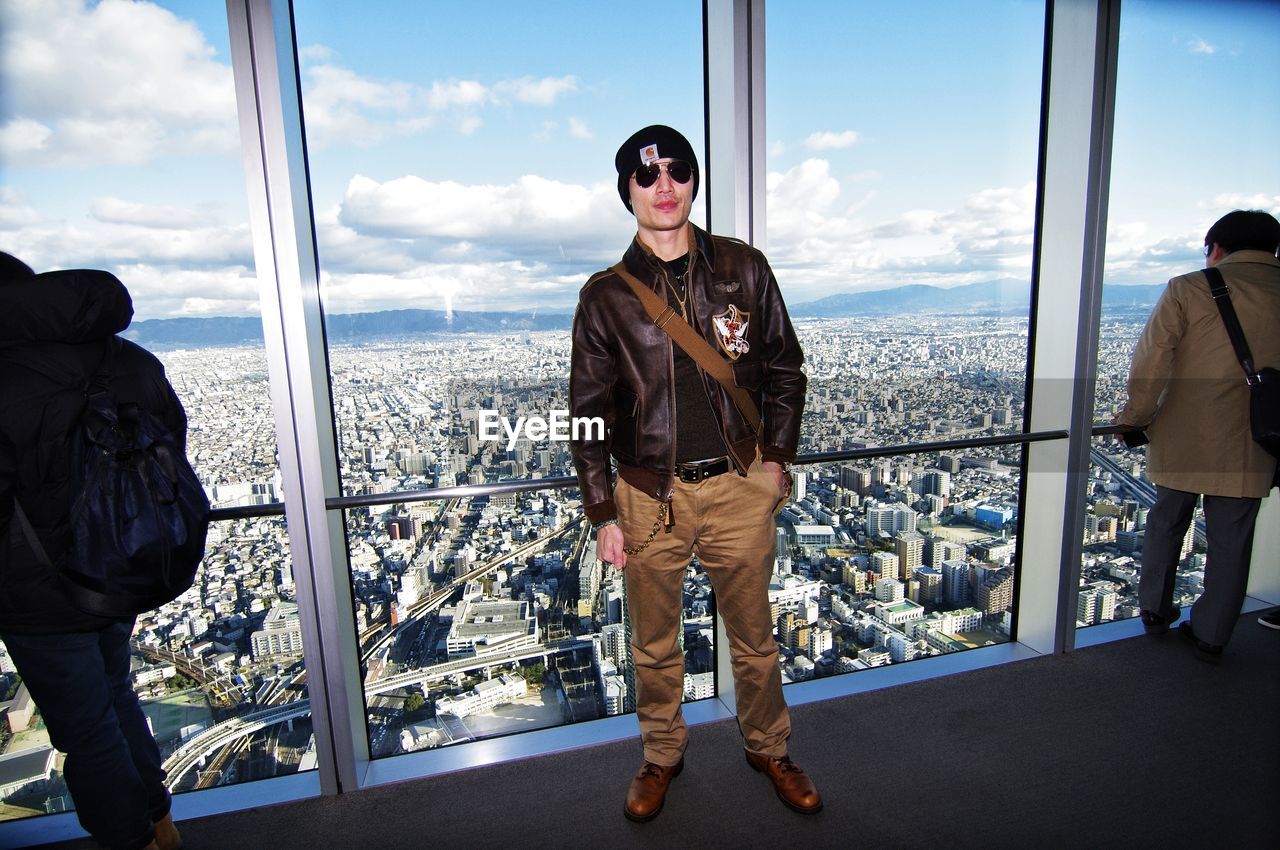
[{"x": 1229, "y": 534}]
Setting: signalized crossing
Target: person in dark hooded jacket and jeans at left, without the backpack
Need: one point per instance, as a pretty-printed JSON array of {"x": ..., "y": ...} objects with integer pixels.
[{"x": 75, "y": 665}]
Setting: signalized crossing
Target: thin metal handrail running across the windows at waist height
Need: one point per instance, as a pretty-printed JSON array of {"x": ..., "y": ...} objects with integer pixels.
[{"x": 523, "y": 486}]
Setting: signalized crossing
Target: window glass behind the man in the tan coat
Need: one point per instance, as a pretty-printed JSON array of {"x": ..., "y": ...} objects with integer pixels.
[{"x": 1188, "y": 92}]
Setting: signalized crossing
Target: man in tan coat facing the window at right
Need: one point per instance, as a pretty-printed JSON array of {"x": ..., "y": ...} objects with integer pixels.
[{"x": 1187, "y": 389}]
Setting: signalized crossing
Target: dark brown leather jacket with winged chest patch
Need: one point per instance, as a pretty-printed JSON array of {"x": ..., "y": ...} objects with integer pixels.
[{"x": 623, "y": 368}]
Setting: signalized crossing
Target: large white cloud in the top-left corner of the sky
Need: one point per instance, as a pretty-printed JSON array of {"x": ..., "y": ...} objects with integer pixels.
[{"x": 118, "y": 83}]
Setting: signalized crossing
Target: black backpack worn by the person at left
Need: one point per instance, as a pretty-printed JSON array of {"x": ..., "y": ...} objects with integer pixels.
[{"x": 139, "y": 515}]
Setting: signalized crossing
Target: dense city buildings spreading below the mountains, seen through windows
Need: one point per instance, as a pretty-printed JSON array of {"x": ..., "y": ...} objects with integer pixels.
[{"x": 469, "y": 606}]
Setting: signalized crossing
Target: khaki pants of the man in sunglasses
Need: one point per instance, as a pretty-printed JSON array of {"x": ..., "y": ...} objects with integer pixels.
[{"x": 728, "y": 523}]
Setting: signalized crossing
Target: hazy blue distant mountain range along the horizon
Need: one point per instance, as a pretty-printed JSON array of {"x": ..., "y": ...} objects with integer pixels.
[{"x": 1002, "y": 298}]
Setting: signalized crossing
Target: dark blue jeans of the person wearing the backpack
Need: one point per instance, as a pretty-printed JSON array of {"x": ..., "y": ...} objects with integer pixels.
[{"x": 81, "y": 684}]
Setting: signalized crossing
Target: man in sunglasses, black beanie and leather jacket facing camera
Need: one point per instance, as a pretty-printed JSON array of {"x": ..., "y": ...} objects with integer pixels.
[{"x": 693, "y": 476}]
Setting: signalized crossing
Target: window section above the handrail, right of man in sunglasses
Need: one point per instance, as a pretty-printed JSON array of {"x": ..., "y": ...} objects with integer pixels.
[{"x": 902, "y": 199}]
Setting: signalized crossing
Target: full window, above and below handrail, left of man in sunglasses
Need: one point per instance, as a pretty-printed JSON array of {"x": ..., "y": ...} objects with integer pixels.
[{"x": 464, "y": 185}]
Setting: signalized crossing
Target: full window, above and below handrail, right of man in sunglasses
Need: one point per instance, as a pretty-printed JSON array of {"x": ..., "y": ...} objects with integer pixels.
[{"x": 902, "y": 196}]
